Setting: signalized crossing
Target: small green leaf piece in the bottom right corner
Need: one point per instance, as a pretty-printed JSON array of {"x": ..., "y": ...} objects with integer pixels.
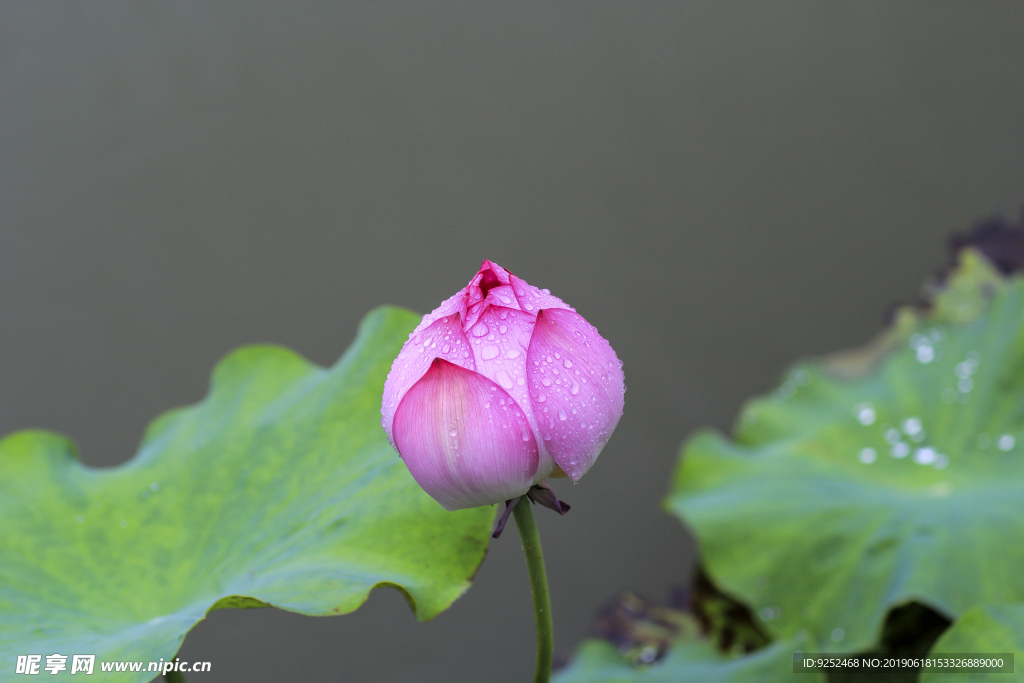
[{"x": 986, "y": 629}]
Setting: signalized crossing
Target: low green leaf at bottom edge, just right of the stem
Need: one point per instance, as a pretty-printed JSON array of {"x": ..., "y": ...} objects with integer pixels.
[{"x": 599, "y": 662}]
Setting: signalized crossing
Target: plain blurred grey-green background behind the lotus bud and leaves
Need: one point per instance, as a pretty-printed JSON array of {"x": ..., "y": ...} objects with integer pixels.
[{"x": 720, "y": 188}]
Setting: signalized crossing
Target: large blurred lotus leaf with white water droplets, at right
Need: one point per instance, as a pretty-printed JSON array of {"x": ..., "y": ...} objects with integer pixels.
[{"x": 876, "y": 479}]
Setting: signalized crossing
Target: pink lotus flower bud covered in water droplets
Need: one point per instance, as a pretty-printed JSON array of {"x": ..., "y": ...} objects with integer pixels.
[{"x": 500, "y": 388}]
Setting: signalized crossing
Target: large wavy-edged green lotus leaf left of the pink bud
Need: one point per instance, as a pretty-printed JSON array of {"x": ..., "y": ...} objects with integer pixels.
[{"x": 279, "y": 489}]
